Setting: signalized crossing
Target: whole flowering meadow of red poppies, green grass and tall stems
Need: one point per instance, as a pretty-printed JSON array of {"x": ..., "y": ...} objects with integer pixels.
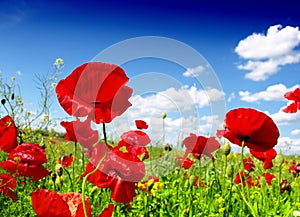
[{"x": 84, "y": 173}]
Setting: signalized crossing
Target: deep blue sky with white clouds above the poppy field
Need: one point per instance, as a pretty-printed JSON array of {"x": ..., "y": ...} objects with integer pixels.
[{"x": 239, "y": 41}]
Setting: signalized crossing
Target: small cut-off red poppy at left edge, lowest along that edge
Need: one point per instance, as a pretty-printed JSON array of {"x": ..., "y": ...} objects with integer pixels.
[{"x": 7, "y": 184}]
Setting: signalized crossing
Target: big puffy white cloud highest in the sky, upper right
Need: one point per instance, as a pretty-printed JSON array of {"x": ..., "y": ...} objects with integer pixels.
[{"x": 265, "y": 54}]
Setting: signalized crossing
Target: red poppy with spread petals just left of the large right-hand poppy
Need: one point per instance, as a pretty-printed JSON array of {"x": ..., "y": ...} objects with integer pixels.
[{"x": 200, "y": 145}]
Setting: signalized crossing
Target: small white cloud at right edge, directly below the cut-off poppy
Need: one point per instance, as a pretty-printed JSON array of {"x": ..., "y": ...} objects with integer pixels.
[{"x": 282, "y": 118}]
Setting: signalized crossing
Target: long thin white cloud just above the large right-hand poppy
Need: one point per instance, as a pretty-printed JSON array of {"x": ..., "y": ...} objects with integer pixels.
[{"x": 272, "y": 93}]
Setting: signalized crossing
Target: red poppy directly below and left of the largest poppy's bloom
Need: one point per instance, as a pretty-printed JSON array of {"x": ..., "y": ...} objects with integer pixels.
[{"x": 81, "y": 132}]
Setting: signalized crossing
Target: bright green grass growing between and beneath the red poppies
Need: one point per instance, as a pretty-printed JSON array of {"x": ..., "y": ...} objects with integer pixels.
[{"x": 174, "y": 194}]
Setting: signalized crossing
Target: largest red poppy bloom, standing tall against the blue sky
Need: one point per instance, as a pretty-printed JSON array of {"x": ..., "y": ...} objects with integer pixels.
[{"x": 96, "y": 90}]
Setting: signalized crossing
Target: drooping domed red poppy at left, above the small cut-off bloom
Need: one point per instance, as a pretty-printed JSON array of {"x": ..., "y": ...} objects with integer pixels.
[{"x": 27, "y": 160}]
